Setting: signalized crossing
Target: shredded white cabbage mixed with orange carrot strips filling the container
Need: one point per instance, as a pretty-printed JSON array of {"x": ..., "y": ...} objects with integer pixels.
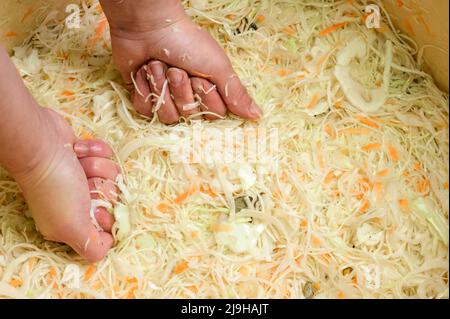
[{"x": 357, "y": 207}]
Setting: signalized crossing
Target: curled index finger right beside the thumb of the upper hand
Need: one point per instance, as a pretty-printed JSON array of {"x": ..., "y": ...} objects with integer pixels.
[{"x": 209, "y": 98}]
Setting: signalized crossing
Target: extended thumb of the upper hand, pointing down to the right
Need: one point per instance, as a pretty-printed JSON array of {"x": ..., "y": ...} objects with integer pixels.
[{"x": 234, "y": 94}]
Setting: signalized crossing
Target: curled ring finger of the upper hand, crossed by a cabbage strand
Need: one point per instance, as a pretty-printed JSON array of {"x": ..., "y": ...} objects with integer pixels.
[{"x": 167, "y": 113}]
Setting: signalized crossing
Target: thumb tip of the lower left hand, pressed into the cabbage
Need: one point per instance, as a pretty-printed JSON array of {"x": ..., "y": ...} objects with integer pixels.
[{"x": 89, "y": 243}]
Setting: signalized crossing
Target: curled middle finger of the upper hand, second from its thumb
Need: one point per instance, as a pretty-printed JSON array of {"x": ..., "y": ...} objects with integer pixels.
[{"x": 181, "y": 90}]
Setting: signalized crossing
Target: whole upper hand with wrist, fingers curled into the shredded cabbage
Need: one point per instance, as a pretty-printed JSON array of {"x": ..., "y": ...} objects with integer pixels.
[{"x": 154, "y": 41}]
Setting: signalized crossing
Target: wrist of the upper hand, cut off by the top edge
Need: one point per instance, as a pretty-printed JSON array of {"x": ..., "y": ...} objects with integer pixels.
[{"x": 141, "y": 16}]
